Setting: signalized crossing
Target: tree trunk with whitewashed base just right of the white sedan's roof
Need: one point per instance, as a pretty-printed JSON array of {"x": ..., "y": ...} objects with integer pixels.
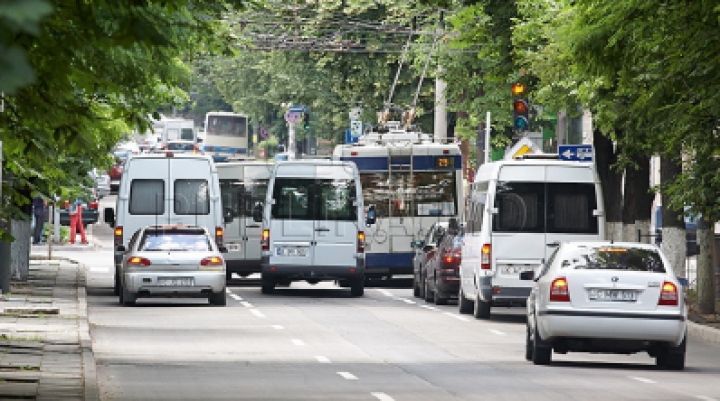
[{"x": 673, "y": 223}]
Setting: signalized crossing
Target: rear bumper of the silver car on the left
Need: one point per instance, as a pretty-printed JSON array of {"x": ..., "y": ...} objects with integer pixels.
[{"x": 146, "y": 283}]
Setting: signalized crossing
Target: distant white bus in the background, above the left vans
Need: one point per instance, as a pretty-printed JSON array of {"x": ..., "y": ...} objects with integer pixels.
[{"x": 226, "y": 135}]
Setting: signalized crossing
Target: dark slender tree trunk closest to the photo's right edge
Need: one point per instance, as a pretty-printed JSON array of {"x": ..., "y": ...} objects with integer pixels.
[{"x": 705, "y": 270}]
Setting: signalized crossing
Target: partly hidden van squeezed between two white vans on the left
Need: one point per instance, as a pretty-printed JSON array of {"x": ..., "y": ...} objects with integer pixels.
[{"x": 243, "y": 185}]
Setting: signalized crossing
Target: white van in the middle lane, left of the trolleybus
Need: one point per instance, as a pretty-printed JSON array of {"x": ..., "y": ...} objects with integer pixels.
[{"x": 313, "y": 226}]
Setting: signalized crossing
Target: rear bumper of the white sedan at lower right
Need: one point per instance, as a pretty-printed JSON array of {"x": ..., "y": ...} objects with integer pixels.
[{"x": 618, "y": 326}]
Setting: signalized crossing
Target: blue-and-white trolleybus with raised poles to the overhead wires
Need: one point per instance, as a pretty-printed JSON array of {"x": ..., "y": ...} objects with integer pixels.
[{"x": 413, "y": 182}]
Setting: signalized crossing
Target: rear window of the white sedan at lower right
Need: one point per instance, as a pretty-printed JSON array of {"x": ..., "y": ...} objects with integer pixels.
[{"x": 613, "y": 257}]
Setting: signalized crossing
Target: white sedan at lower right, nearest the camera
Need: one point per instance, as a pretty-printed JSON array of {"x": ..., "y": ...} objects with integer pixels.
[{"x": 606, "y": 297}]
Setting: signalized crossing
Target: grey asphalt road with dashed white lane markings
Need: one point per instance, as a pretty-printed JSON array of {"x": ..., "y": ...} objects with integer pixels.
[{"x": 317, "y": 343}]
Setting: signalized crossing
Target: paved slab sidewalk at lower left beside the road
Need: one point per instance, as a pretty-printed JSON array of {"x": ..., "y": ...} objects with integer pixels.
[{"x": 45, "y": 347}]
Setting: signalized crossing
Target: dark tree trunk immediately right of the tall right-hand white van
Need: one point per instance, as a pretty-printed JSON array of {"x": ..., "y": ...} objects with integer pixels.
[{"x": 610, "y": 181}]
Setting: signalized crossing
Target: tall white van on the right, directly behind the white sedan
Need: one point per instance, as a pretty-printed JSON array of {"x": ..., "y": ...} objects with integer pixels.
[{"x": 518, "y": 212}]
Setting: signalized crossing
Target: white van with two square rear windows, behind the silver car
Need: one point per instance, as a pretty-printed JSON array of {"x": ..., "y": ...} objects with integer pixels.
[{"x": 165, "y": 188}]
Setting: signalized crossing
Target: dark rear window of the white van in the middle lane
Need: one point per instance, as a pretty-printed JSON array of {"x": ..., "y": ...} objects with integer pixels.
[{"x": 314, "y": 199}]
